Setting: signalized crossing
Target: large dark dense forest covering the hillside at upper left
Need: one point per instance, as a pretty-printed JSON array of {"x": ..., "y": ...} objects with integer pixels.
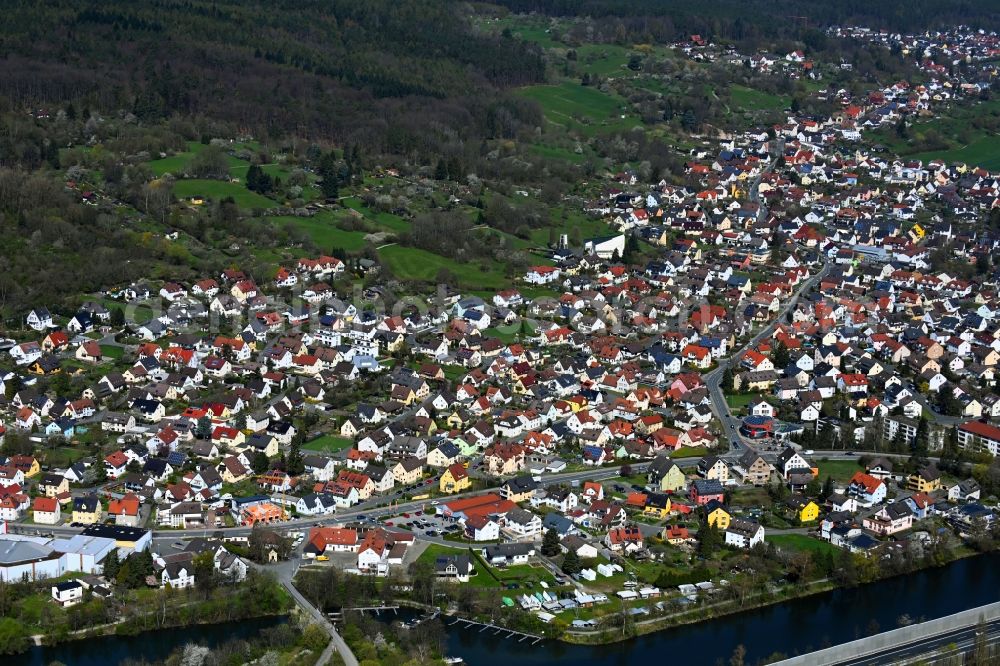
[{"x": 396, "y": 76}]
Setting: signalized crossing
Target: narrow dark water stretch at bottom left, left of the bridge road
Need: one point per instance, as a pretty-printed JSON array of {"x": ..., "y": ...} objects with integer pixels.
[{"x": 151, "y": 645}]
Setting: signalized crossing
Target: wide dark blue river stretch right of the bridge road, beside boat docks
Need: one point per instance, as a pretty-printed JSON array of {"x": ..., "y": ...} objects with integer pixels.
[{"x": 793, "y": 627}]
